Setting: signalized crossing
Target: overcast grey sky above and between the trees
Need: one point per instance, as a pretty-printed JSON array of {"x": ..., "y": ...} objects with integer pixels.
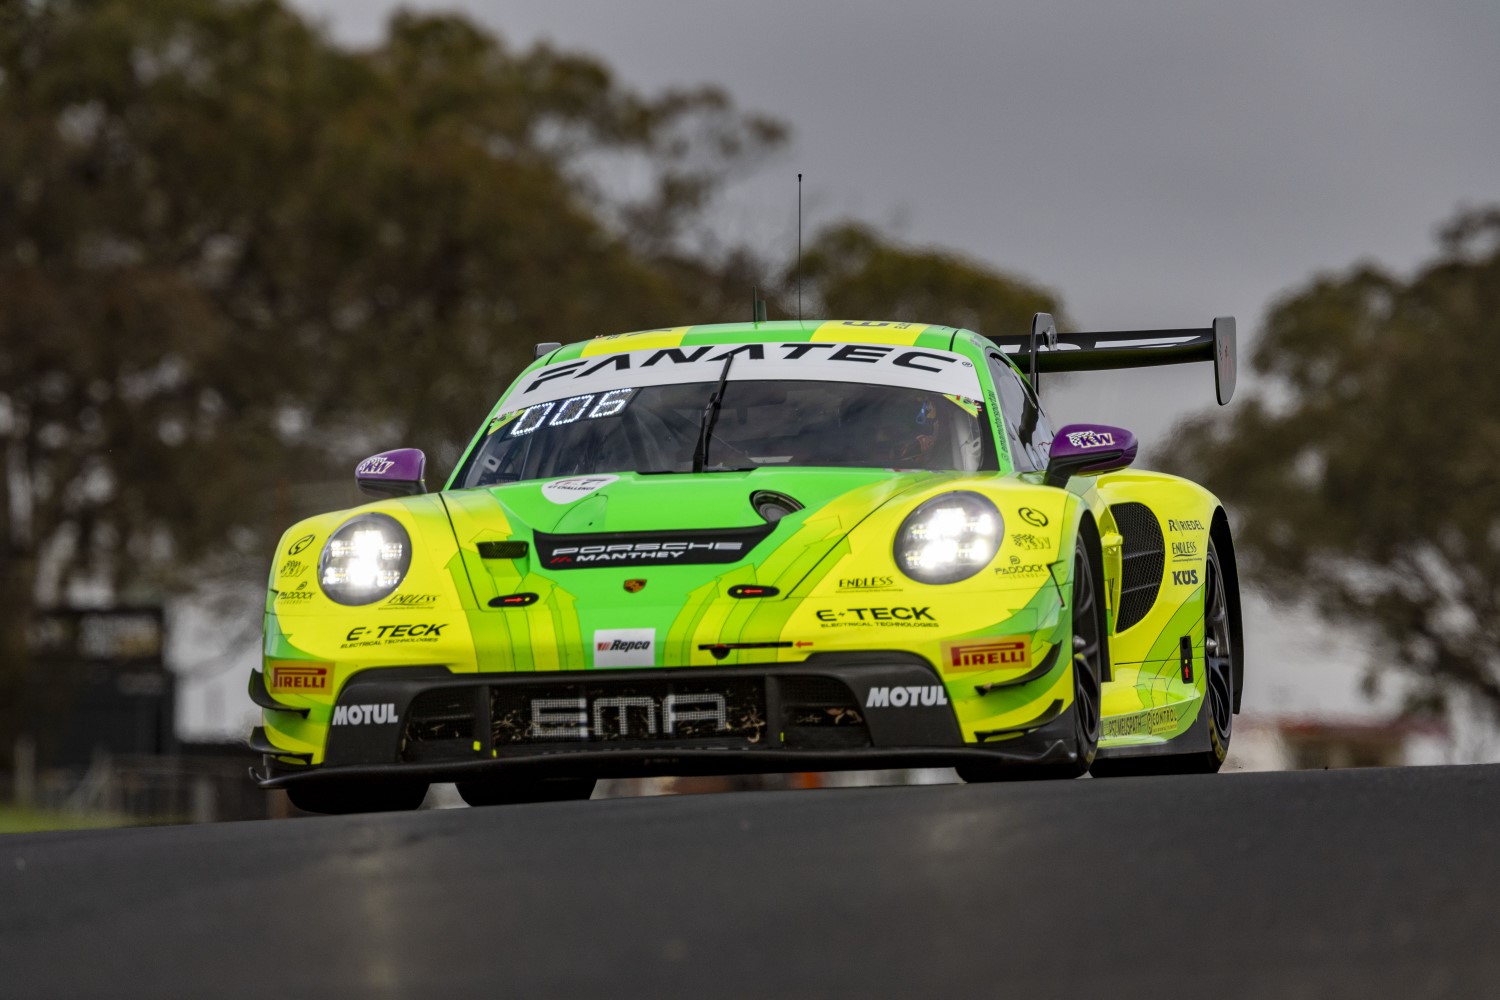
[{"x": 1156, "y": 164}]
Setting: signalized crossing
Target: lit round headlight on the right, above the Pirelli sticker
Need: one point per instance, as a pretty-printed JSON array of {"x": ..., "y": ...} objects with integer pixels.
[{"x": 949, "y": 539}]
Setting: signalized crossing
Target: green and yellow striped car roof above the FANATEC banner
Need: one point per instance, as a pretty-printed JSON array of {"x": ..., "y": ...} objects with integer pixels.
[{"x": 794, "y": 331}]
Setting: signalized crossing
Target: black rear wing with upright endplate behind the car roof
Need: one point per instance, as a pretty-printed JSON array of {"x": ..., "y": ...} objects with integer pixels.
[{"x": 1052, "y": 352}]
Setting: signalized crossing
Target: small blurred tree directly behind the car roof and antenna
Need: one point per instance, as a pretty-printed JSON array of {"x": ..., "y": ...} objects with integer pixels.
[{"x": 854, "y": 274}]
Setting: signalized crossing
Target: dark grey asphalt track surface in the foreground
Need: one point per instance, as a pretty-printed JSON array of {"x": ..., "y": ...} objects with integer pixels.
[{"x": 1357, "y": 884}]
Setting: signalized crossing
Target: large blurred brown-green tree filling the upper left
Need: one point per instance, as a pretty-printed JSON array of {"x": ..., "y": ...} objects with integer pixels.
[{"x": 233, "y": 253}]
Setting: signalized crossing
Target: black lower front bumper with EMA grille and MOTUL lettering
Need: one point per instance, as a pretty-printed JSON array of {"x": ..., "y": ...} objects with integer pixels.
[{"x": 829, "y": 713}]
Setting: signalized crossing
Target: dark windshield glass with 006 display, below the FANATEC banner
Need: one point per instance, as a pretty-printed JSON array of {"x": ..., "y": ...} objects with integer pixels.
[{"x": 761, "y": 424}]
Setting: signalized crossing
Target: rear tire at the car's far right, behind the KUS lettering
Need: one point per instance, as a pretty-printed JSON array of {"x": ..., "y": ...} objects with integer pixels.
[{"x": 1220, "y": 669}]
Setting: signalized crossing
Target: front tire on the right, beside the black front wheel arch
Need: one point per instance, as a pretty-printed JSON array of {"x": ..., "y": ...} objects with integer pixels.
[{"x": 1090, "y": 632}]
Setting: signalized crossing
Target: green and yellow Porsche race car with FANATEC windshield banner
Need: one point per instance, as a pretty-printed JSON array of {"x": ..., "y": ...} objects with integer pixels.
[{"x": 761, "y": 548}]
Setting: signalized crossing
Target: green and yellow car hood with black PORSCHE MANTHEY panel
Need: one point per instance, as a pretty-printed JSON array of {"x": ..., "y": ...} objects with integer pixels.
[{"x": 683, "y": 530}]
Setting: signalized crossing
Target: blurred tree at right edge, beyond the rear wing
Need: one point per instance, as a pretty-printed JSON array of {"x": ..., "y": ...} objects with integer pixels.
[{"x": 1366, "y": 475}]
